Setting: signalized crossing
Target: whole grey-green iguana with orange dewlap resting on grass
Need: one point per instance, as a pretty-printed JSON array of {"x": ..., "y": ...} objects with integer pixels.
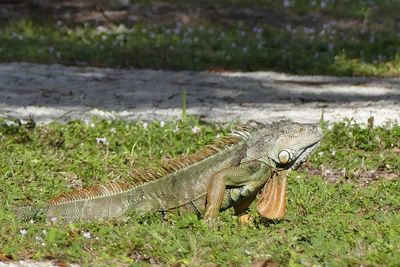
[{"x": 228, "y": 173}]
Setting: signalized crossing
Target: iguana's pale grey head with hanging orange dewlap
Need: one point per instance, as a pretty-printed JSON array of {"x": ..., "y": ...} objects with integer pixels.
[{"x": 284, "y": 146}]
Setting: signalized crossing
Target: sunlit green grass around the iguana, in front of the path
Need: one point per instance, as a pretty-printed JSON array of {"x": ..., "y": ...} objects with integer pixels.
[{"x": 347, "y": 222}]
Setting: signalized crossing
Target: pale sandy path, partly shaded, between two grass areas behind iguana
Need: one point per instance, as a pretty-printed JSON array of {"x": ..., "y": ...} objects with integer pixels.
[{"x": 49, "y": 91}]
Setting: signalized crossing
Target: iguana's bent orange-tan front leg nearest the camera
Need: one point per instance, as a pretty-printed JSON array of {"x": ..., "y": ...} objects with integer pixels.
[{"x": 235, "y": 176}]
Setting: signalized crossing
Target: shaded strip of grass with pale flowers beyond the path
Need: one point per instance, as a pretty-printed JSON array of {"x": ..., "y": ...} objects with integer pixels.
[{"x": 346, "y": 38}]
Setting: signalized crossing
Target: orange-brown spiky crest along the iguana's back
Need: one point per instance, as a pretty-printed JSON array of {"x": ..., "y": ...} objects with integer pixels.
[{"x": 168, "y": 167}]
